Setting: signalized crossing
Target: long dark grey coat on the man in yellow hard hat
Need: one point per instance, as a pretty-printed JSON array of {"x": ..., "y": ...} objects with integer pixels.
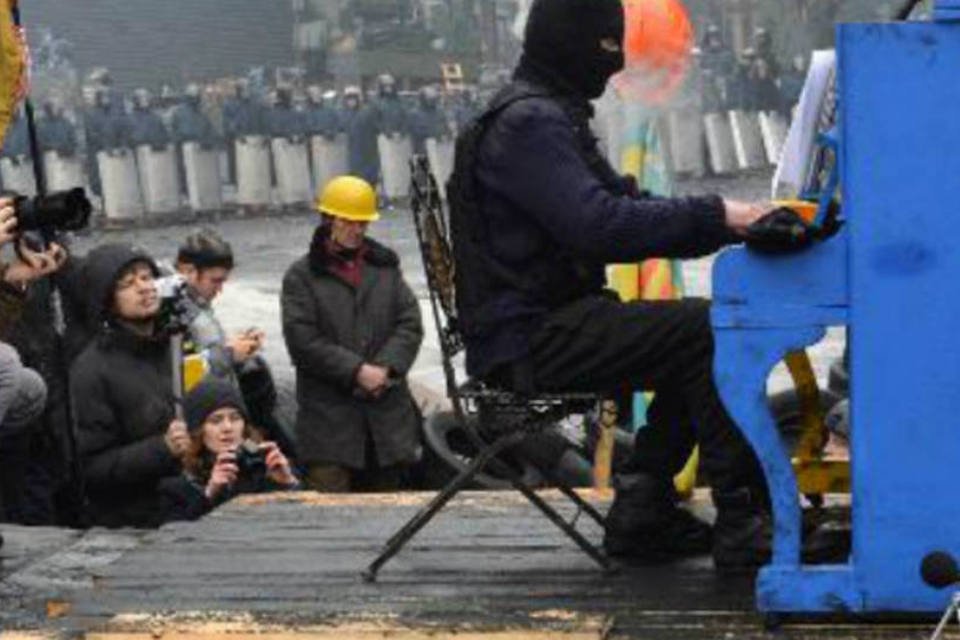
[{"x": 331, "y": 328}]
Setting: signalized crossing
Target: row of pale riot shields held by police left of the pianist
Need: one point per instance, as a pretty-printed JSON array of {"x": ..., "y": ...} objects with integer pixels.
[{"x": 145, "y": 183}]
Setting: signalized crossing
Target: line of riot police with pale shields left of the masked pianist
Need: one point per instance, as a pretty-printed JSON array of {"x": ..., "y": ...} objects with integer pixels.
[{"x": 153, "y": 160}]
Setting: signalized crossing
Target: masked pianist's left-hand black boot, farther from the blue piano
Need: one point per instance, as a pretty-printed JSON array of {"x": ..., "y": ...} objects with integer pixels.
[{"x": 645, "y": 523}]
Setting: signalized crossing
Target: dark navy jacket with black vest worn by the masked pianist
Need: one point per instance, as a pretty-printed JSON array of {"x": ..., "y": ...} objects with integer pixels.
[{"x": 550, "y": 214}]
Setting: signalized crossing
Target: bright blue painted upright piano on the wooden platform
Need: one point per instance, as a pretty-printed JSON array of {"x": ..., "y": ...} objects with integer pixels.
[{"x": 892, "y": 277}]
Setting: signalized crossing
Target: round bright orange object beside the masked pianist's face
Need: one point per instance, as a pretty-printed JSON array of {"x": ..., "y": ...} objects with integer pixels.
[{"x": 658, "y": 44}]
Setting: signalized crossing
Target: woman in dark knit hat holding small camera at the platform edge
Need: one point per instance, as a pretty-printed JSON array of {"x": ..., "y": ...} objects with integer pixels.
[{"x": 225, "y": 457}]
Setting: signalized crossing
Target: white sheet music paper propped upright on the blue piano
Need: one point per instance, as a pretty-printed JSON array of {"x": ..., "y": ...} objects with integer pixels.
[{"x": 798, "y": 150}]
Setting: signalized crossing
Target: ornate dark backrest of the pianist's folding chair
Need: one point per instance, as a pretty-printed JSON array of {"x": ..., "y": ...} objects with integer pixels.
[{"x": 433, "y": 238}]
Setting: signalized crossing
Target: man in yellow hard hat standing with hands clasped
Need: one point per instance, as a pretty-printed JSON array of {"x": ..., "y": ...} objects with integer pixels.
[{"x": 352, "y": 327}]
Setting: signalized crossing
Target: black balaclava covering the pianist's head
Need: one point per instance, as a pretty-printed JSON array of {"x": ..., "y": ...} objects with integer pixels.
[{"x": 563, "y": 39}]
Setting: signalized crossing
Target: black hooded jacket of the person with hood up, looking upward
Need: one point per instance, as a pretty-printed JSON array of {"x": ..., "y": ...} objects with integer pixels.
[{"x": 123, "y": 402}]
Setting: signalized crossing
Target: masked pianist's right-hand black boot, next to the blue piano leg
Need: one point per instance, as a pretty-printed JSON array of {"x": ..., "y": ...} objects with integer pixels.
[{"x": 743, "y": 532}]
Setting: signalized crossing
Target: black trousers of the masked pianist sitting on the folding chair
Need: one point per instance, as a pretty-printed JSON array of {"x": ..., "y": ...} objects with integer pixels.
[{"x": 599, "y": 344}]
